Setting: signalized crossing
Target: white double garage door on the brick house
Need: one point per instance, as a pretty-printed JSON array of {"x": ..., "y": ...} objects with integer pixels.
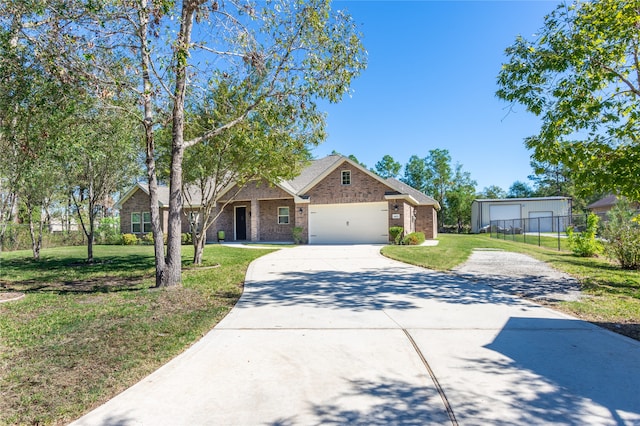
[{"x": 349, "y": 223}]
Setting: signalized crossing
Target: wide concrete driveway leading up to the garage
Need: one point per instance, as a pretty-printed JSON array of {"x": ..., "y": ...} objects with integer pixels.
[{"x": 342, "y": 335}]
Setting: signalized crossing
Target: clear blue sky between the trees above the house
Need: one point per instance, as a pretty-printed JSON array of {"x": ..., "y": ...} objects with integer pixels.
[{"x": 431, "y": 83}]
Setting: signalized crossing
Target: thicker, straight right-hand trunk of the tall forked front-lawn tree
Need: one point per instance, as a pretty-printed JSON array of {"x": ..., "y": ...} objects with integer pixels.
[{"x": 171, "y": 275}]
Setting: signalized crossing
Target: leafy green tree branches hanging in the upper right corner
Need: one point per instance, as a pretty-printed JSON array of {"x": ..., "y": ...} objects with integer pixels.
[{"x": 580, "y": 74}]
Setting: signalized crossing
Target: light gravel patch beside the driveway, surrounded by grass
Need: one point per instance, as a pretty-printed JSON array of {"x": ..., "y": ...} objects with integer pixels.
[{"x": 519, "y": 274}]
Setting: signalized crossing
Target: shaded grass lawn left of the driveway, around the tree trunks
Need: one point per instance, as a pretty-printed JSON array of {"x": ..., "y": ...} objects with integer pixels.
[{"x": 84, "y": 333}]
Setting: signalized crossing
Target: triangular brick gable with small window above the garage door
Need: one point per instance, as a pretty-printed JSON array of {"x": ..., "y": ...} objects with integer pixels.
[{"x": 363, "y": 188}]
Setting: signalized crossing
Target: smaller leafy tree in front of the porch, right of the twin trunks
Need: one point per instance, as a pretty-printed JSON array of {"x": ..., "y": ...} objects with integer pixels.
[{"x": 268, "y": 147}]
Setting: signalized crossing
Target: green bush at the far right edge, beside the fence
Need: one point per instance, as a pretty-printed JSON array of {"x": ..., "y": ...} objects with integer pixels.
[{"x": 622, "y": 235}]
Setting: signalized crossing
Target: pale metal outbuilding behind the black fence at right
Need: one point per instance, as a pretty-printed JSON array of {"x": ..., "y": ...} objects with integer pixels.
[{"x": 541, "y": 212}]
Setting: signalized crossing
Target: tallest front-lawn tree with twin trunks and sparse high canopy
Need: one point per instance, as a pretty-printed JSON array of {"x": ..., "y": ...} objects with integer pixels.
[{"x": 165, "y": 52}]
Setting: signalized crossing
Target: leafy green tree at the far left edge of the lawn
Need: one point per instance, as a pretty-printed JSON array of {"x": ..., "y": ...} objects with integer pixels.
[{"x": 32, "y": 106}]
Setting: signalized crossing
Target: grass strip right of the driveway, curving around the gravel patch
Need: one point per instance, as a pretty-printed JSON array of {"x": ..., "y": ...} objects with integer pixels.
[{"x": 612, "y": 294}]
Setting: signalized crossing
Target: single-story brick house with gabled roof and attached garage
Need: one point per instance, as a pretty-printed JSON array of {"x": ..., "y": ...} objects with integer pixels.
[{"x": 333, "y": 200}]
